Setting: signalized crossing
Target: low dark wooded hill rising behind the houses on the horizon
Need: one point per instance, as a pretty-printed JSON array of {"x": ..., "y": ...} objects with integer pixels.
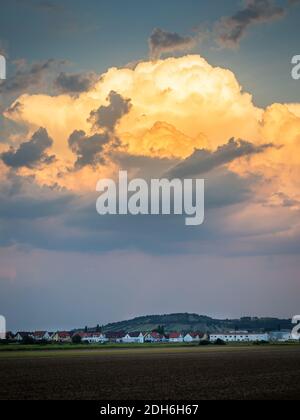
[{"x": 192, "y": 322}]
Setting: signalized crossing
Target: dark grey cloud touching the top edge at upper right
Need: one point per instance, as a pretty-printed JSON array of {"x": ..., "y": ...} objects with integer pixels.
[{"x": 230, "y": 30}]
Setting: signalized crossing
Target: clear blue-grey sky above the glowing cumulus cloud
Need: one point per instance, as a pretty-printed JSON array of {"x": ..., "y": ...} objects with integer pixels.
[{"x": 95, "y": 35}]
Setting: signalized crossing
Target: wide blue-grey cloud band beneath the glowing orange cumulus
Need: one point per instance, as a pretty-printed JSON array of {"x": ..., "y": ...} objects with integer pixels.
[{"x": 58, "y": 221}]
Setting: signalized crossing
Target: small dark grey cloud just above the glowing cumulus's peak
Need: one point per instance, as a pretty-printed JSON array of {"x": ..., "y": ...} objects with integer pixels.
[{"x": 163, "y": 42}]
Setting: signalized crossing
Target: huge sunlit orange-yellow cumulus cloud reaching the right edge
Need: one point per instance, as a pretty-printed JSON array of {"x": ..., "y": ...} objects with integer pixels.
[{"x": 178, "y": 104}]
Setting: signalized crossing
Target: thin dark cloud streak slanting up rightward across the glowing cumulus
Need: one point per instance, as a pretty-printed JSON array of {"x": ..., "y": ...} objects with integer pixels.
[{"x": 202, "y": 161}]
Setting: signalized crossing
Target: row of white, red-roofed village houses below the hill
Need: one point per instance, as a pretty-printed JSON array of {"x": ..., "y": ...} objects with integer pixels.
[{"x": 150, "y": 337}]
